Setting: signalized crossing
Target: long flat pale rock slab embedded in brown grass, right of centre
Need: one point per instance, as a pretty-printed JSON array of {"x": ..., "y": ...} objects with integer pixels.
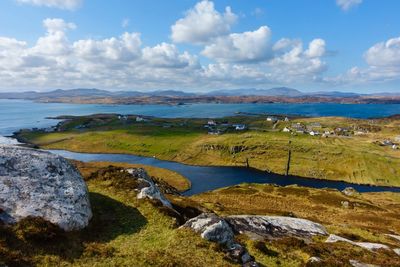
[{"x": 275, "y": 226}]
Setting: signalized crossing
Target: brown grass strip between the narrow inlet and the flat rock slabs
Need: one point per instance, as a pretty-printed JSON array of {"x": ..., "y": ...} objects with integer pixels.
[{"x": 373, "y": 211}]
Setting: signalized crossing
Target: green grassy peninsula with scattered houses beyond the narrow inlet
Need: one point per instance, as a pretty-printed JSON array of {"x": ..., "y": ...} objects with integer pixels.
[{"x": 355, "y": 159}]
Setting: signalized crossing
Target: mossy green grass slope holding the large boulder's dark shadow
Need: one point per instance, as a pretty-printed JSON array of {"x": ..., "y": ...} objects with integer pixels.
[{"x": 123, "y": 232}]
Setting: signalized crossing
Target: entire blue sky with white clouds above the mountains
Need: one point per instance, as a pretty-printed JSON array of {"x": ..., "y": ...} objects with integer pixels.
[{"x": 200, "y": 45}]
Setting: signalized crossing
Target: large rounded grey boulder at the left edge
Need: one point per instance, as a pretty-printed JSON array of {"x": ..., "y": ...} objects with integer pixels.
[{"x": 40, "y": 184}]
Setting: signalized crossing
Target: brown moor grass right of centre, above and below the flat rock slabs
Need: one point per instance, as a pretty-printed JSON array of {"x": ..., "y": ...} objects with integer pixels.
[{"x": 367, "y": 218}]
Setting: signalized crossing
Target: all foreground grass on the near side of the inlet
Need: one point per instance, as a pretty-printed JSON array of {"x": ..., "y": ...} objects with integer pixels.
[{"x": 125, "y": 231}]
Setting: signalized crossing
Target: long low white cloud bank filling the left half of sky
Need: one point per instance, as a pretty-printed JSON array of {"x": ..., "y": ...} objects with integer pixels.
[{"x": 115, "y": 62}]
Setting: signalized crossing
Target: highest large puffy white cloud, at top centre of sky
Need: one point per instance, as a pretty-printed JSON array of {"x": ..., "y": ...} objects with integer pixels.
[{"x": 202, "y": 23}]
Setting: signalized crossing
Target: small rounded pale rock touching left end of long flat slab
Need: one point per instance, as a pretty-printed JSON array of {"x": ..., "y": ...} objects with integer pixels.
[{"x": 212, "y": 228}]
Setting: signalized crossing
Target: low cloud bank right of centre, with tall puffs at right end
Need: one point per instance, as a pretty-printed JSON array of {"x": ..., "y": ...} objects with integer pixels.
[{"x": 288, "y": 64}]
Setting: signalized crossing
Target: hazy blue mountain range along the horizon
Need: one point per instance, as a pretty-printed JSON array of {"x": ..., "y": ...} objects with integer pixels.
[{"x": 97, "y": 93}]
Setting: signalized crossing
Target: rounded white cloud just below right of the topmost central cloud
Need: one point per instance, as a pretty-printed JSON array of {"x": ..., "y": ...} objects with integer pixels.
[{"x": 240, "y": 47}]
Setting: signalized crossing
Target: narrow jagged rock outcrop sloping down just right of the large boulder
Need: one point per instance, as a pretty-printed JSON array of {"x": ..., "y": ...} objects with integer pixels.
[{"x": 148, "y": 189}]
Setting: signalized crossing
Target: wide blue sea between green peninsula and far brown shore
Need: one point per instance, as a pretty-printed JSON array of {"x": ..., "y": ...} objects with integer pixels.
[{"x": 17, "y": 114}]
